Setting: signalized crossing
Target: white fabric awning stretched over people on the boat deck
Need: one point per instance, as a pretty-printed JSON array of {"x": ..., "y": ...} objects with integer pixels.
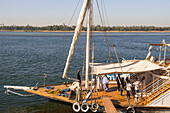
[{"x": 127, "y": 67}]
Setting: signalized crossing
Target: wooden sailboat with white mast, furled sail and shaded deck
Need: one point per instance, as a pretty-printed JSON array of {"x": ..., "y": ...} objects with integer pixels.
[{"x": 152, "y": 72}]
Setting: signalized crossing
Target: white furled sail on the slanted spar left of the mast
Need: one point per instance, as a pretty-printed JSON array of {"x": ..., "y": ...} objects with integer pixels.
[{"x": 76, "y": 35}]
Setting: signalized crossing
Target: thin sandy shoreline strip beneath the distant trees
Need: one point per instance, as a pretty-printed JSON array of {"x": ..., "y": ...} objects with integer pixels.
[{"x": 82, "y": 31}]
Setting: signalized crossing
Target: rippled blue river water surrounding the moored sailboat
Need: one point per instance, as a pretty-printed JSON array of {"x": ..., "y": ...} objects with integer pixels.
[{"x": 26, "y": 56}]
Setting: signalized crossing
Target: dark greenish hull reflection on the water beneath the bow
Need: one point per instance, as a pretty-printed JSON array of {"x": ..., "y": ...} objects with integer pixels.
[{"x": 48, "y": 107}]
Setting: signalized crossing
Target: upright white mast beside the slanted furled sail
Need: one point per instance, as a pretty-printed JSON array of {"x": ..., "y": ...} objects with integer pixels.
[{"x": 89, "y": 19}]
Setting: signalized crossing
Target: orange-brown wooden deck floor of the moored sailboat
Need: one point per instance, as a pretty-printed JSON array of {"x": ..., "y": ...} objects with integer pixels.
[{"x": 114, "y": 96}]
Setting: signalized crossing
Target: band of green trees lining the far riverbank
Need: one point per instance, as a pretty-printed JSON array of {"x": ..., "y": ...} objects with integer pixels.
[{"x": 94, "y": 28}]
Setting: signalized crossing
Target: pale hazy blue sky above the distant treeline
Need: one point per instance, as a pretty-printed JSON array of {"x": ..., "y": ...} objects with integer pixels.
[{"x": 50, "y": 12}]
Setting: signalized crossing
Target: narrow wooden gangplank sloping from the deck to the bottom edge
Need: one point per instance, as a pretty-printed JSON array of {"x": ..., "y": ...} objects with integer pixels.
[{"x": 109, "y": 107}]
